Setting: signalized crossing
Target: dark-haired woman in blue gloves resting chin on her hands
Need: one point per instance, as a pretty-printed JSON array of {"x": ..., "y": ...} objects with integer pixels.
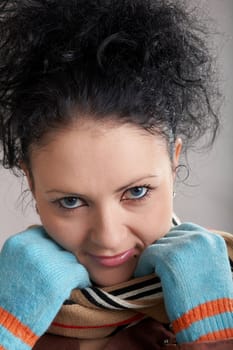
[{"x": 98, "y": 99}]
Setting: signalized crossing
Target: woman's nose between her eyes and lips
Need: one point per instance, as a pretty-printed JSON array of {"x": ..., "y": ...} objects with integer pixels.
[{"x": 109, "y": 231}]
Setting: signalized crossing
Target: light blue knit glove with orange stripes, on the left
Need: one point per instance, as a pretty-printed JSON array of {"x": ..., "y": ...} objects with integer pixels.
[{"x": 36, "y": 276}]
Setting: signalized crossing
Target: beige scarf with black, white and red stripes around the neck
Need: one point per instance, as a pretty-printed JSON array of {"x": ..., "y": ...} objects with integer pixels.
[{"x": 100, "y": 312}]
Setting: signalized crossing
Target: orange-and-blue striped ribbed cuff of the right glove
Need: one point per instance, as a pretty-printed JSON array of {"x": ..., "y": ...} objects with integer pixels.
[{"x": 210, "y": 321}]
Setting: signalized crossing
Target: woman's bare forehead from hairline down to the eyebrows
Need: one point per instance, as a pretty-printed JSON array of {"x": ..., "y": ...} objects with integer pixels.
[{"x": 92, "y": 156}]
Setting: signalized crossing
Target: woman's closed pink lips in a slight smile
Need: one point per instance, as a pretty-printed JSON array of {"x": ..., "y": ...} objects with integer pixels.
[{"x": 116, "y": 260}]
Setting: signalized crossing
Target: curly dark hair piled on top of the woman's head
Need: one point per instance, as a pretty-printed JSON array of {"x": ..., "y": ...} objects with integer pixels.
[{"x": 145, "y": 62}]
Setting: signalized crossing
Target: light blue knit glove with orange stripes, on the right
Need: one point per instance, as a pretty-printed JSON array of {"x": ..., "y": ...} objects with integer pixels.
[{"x": 196, "y": 279}]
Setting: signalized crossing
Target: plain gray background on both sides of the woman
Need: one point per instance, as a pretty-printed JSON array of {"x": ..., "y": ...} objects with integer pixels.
[{"x": 206, "y": 199}]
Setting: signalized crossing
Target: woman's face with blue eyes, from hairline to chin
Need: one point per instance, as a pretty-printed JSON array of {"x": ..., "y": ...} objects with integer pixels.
[{"x": 104, "y": 192}]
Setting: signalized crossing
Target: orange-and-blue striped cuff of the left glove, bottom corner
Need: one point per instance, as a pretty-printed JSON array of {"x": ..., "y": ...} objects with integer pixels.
[{"x": 14, "y": 335}]
